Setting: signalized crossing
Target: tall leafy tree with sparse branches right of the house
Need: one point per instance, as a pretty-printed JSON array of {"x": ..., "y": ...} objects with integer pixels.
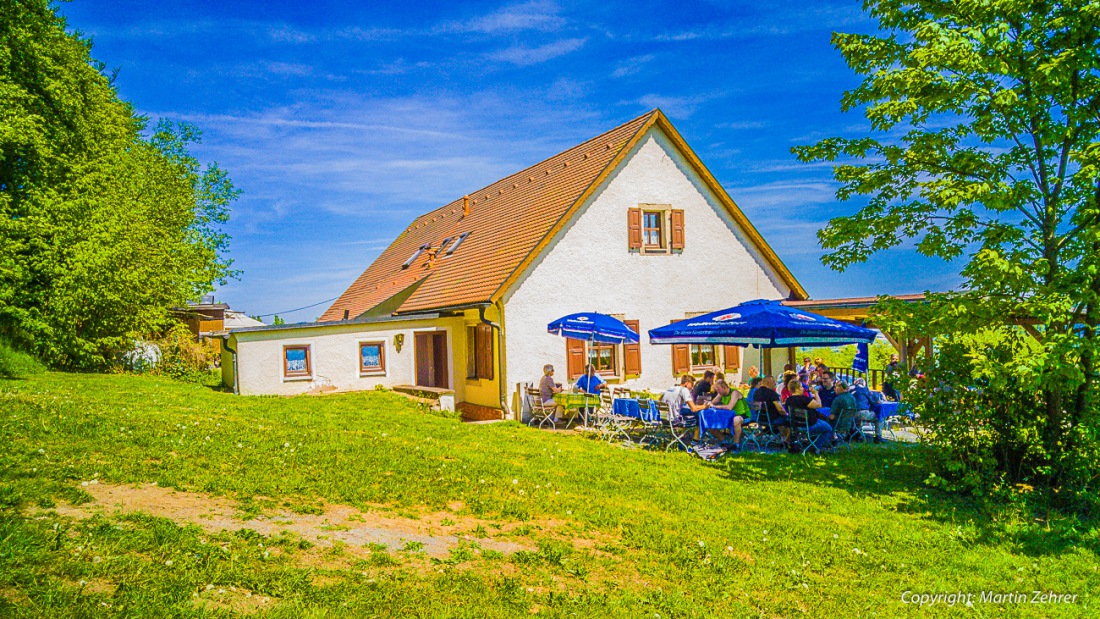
[{"x": 985, "y": 146}]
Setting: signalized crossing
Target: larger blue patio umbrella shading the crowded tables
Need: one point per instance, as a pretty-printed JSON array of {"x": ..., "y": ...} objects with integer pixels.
[{"x": 768, "y": 325}]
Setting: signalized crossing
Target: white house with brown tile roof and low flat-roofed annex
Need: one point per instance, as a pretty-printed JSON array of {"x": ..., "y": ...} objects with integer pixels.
[{"x": 630, "y": 224}]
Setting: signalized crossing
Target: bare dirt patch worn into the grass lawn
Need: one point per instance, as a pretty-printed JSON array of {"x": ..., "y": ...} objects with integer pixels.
[{"x": 435, "y": 534}]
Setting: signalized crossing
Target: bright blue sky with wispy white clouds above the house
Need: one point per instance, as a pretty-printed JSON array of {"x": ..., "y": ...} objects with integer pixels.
[{"x": 343, "y": 121}]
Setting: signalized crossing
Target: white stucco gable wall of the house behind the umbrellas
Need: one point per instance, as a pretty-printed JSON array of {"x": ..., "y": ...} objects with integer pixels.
[{"x": 590, "y": 269}]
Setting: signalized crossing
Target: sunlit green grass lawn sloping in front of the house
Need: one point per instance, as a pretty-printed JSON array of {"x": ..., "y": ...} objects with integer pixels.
[{"x": 604, "y": 532}]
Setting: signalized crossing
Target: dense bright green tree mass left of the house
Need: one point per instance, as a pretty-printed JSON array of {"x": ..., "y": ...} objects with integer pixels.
[{"x": 104, "y": 226}]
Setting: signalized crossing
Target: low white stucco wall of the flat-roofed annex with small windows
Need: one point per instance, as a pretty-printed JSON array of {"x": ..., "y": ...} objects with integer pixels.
[{"x": 335, "y": 357}]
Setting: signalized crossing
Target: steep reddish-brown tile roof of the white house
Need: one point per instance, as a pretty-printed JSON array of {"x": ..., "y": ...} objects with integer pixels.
[{"x": 510, "y": 222}]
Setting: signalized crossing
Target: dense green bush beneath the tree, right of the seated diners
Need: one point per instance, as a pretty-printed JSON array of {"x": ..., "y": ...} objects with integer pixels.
[{"x": 982, "y": 401}]
